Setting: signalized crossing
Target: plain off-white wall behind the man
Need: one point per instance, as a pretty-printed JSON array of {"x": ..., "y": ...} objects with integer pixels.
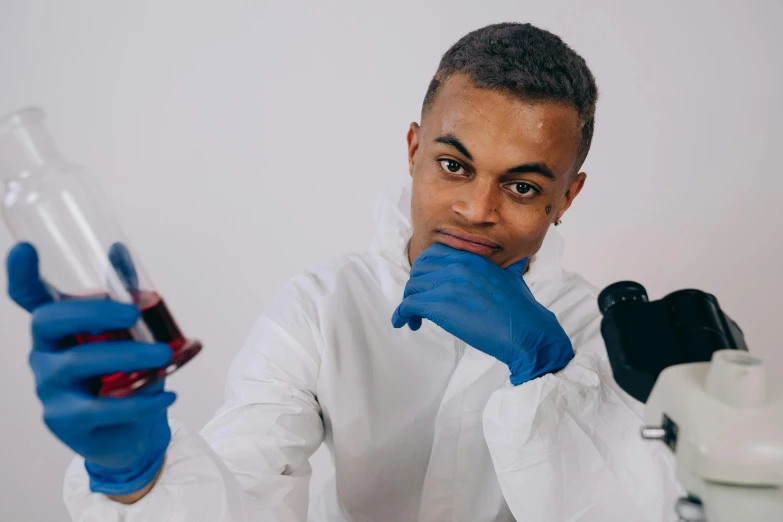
[{"x": 240, "y": 142}]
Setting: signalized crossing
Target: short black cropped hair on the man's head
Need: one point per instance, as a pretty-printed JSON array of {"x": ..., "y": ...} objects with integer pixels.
[{"x": 524, "y": 61}]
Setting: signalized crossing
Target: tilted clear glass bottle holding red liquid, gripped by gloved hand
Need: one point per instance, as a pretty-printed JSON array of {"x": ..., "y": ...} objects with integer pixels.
[{"x": 83, "y": 253}]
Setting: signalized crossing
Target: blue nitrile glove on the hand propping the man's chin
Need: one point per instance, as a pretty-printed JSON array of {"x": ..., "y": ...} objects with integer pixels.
[{"x": 488, "y": 307}]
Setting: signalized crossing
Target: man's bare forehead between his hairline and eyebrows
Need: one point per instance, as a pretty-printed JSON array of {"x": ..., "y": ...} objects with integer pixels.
[{"x": 493, "y": 124}]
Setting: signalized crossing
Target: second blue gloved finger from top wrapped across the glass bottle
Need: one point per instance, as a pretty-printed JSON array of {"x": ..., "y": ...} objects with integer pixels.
[{"x": 104, "y": 358}]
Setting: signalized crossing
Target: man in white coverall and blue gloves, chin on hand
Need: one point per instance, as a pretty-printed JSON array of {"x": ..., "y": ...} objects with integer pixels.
[{"x": 449, "y": 378}]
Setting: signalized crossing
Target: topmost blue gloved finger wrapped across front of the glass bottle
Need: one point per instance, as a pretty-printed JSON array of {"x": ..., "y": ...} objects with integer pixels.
[{"x": 55, "y": 321}]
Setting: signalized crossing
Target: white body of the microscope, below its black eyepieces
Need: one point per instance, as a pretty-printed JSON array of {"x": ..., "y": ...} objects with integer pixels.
[{"x": 724, "y": 424}]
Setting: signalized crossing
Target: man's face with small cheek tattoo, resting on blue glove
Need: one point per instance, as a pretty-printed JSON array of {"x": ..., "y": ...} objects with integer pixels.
[{"x": 490, "y": 172}]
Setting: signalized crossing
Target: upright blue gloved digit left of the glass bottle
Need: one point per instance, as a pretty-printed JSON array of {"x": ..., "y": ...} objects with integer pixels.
[{"x": 25, "y": 286}]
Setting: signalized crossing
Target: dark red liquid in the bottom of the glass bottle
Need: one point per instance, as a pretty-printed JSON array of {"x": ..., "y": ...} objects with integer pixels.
[{"x": 156, "y": 316}]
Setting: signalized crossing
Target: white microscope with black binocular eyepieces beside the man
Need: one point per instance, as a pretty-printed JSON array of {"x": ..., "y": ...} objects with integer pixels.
[{"x": 706, "y": 397}]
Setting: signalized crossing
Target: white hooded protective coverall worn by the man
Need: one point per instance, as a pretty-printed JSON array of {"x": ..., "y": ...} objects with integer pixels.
[{"x": 418, "y": 425}]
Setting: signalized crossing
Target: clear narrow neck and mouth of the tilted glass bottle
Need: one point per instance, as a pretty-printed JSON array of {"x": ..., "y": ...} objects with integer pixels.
[{"x": 25, "y": 145}]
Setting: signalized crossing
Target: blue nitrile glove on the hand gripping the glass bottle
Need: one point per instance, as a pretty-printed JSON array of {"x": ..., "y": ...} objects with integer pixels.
[{"x": 123, "y": 440}]
